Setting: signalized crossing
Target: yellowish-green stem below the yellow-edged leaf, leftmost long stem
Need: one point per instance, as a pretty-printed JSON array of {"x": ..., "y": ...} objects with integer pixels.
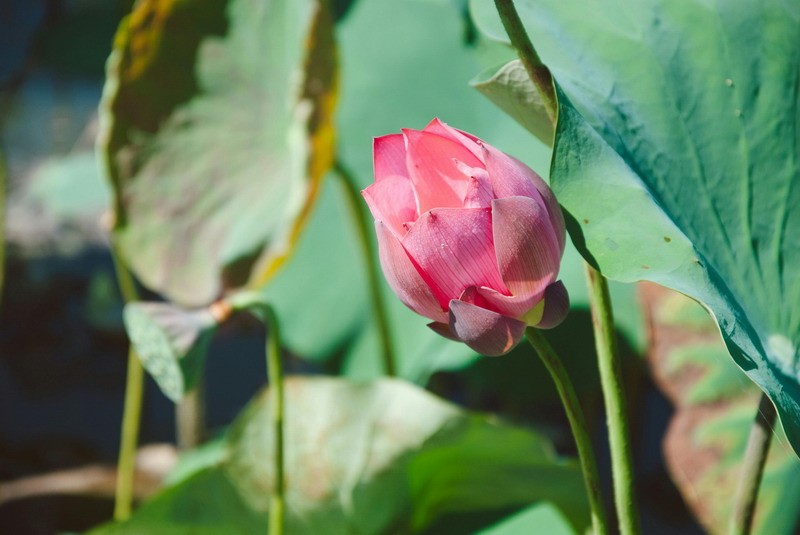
[{"x": 132, "y": 411}]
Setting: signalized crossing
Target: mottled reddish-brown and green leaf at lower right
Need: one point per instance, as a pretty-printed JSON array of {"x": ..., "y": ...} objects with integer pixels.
[{"x": 714, "y": 405}]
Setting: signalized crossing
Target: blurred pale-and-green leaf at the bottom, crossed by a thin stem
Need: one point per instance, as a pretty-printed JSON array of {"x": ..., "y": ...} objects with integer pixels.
[{"x": 381, "y": 457}]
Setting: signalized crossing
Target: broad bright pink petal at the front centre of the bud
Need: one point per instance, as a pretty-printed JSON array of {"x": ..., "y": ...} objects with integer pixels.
[{"x": 453, "y": 249}]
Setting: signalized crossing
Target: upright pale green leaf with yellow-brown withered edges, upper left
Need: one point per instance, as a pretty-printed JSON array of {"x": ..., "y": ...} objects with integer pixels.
[{"x": 216, "y": 129}]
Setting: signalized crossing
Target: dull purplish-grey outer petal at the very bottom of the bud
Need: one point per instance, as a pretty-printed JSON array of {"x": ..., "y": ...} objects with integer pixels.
[{"x": 487, "y": 332}]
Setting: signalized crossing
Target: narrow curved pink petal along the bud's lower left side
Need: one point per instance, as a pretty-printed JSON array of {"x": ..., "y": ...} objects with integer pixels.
[{"x": 403, "y": 277}]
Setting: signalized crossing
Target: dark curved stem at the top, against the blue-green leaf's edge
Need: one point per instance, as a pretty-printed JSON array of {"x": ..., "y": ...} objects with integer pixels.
[{"x": 537, "y": 71}]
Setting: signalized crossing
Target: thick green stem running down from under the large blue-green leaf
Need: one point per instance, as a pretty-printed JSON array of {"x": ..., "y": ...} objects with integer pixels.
[{"x": 610, "y": 365}]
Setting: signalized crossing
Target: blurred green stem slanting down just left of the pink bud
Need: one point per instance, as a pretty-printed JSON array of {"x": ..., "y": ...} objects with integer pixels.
[{"x": 360, "y": 219}]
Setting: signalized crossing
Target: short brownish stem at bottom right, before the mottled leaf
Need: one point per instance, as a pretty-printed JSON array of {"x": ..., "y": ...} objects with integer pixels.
[{"x": 755, "y": 457}]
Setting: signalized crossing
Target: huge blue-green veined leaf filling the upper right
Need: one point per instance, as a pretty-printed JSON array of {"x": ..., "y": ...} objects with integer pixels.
[{"x": 676, "y": 155}]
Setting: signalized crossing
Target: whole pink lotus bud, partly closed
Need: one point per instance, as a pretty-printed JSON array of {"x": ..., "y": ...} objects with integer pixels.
[{"x": 469, "y": 236}]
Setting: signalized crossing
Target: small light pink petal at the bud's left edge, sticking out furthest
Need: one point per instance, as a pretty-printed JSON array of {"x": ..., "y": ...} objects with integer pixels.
[{"x": 392, "y": 201}]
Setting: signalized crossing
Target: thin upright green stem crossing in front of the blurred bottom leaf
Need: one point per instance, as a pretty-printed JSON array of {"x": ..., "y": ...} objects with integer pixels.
[{"x": 275, "y": 374}]
